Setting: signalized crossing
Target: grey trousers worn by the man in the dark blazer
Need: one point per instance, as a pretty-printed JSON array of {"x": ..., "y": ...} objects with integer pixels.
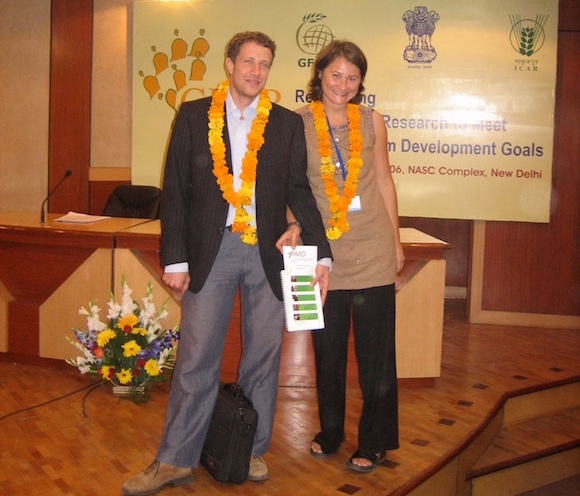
[{"x": 205, "y": 319}]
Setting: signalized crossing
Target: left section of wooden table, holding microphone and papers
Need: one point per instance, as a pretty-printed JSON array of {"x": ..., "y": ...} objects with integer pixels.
[{"x": 47, "y": 271}]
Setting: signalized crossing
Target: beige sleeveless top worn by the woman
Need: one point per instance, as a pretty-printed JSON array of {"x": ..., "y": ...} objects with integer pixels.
[{"x": 363, "y": 257}]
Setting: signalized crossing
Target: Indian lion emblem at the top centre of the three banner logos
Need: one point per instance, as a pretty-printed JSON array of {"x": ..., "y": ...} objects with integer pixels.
[{"x": 420, "y": 25}]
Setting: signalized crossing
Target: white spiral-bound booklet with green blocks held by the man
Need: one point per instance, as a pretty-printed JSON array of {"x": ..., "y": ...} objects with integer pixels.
[{"x": 302, "y": 303}]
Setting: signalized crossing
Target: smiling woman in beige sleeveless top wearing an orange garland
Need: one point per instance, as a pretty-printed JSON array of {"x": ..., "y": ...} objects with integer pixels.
[{"x": 350, "y": 176}]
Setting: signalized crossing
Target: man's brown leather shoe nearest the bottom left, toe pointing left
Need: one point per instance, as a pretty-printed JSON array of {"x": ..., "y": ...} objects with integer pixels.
[{"x": 156, "y": 477}]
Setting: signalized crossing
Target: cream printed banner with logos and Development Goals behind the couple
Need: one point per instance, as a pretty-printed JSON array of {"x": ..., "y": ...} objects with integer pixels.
[{"x": 466, "y": 88}]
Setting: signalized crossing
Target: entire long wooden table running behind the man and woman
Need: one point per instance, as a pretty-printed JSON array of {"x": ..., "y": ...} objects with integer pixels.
[{"x": 47, "y": 272}]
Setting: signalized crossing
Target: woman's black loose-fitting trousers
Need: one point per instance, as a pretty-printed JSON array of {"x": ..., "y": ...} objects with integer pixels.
[{"x": 373, "y": 316}]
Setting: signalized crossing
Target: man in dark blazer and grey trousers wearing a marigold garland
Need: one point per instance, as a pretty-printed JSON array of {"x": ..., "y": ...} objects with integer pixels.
[{"x": 223, "y": 211}]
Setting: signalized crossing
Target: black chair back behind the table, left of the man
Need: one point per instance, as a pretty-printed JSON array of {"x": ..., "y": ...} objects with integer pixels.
[{"x": 134, "y": 201}]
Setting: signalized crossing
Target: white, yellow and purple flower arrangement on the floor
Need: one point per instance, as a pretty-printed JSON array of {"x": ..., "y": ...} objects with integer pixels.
[{"x": 132, "y": 349}]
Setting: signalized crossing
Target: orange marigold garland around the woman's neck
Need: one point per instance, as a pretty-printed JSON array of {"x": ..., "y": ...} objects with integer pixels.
[{"x": 338, "y": 204}]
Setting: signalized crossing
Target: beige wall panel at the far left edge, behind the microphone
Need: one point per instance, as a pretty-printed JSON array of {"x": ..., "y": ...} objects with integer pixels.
[{"x": 24, "y": 102}]
